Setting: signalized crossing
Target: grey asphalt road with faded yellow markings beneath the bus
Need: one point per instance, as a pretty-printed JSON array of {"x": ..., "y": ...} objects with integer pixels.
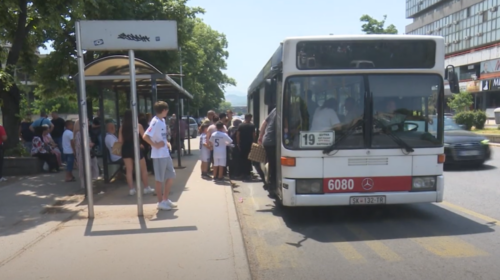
[{"x": 457, "y": 239}]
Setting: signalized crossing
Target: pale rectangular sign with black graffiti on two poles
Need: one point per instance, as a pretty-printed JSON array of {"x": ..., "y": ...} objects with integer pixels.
[{"x": 100, "y": 35}]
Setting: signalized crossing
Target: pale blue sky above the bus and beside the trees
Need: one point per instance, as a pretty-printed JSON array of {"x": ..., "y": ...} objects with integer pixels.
[{"x": 255, "y": 28}]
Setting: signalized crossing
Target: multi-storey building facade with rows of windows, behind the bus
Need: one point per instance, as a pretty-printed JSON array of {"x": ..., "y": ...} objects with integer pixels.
[{"x": 471, "y": 29}]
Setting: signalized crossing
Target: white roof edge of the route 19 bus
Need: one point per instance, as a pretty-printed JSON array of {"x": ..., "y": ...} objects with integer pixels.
[{"x": 275, "y": 61}]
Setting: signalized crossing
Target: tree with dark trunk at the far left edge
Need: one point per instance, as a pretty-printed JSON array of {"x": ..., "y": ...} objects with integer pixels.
[{"x": 25, "y": 26}]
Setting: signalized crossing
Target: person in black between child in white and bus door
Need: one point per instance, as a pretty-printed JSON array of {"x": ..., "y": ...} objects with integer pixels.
[{"x": 245, "y": 136}]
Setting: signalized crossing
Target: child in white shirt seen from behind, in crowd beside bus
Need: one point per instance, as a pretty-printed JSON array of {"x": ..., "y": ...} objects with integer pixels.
[{"x": 219, "y": 141}]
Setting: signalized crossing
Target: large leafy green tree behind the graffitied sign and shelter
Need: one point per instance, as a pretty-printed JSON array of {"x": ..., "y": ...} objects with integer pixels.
[{"x": 203, "y": 49}]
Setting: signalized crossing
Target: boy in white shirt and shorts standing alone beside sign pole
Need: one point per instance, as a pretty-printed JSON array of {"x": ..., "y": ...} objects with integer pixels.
[{"x": 156, "y": 136}]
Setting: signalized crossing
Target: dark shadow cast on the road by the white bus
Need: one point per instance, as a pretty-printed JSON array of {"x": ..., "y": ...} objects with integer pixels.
[{"x": 339, "y": 224}]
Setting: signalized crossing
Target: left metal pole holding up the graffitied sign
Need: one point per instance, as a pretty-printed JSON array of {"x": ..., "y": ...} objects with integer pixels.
[{"x": 84, "y": 121}]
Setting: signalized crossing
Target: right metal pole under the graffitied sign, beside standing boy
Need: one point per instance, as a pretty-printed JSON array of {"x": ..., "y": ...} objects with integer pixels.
[{"x": 135, "y": 127}]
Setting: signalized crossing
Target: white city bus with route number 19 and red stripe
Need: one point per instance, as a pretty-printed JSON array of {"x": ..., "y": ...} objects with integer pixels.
[{"x": 359, "y": 118}]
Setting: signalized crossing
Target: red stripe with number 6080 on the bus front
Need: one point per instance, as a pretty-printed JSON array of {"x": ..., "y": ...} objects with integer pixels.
[{"x": 367, "y": 184}]
